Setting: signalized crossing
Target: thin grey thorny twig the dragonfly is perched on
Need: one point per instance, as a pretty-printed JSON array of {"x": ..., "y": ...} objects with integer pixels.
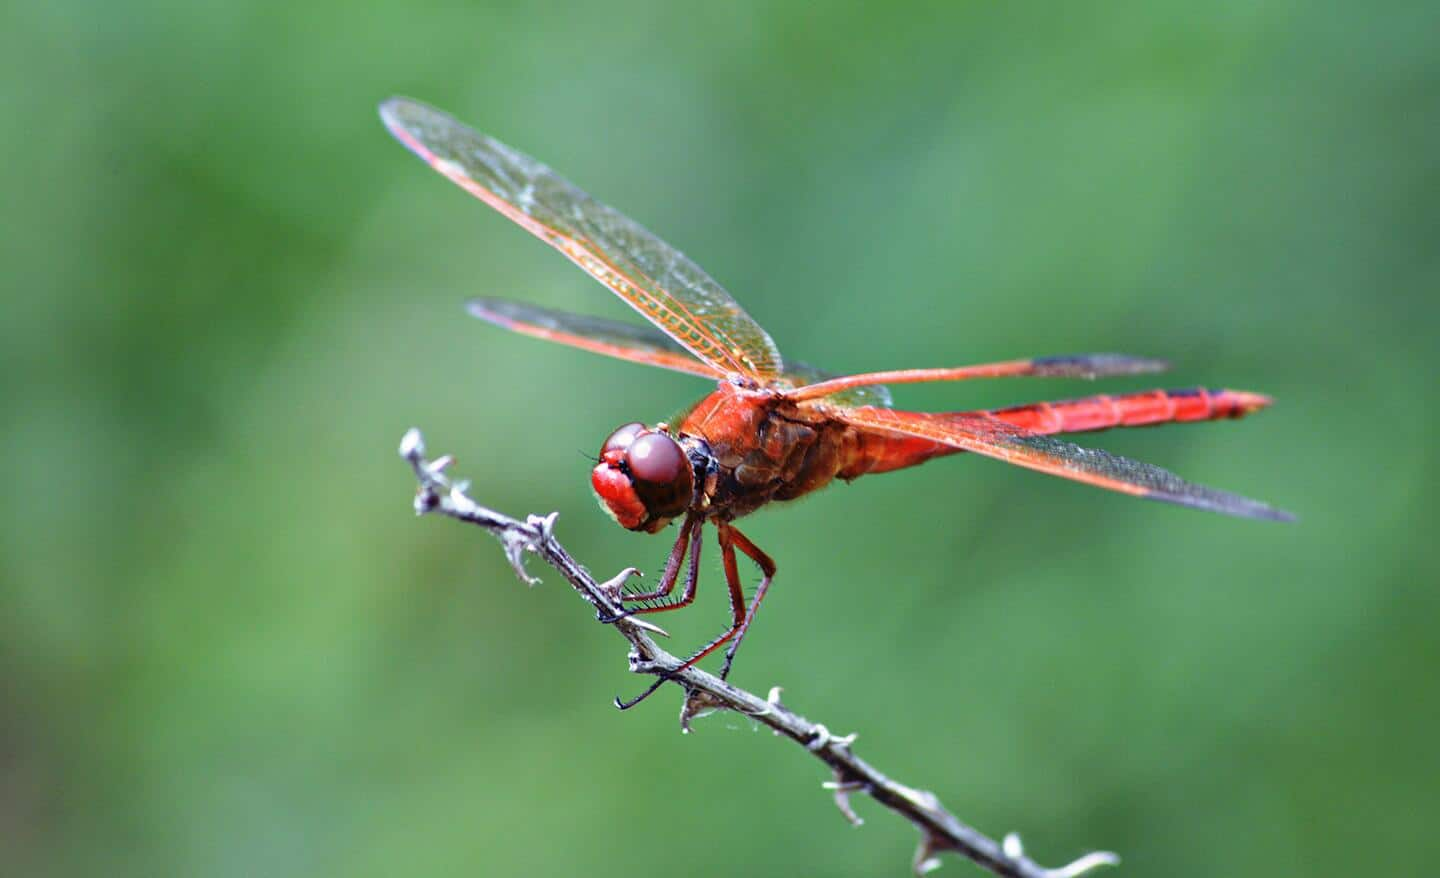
[{"x": 940, "y": 830}]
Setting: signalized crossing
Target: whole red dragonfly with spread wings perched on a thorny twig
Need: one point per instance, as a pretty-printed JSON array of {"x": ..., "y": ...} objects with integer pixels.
[{"x": 774, "y": 431}]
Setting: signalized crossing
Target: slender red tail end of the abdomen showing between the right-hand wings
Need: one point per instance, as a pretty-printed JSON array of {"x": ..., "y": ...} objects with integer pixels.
[{"x": 1133, "y": 409}]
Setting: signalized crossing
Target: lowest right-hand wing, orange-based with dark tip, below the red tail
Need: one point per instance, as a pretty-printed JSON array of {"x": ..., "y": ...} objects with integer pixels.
[{"x": 994, "y": 438}]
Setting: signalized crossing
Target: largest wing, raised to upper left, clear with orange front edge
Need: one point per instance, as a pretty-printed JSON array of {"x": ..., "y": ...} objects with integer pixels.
[{"x": 654, "y": 279}]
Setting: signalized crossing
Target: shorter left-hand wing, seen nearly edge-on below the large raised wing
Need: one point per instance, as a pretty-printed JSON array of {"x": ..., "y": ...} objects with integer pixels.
[{"x": 610, "y": 338}]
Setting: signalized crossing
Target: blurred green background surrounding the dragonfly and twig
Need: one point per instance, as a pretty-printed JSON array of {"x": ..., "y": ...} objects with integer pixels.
[{"x": 228, "y": 648}]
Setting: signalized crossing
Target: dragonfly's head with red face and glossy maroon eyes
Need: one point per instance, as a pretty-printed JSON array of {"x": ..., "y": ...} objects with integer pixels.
[{"x": 644, "y": 479}]
